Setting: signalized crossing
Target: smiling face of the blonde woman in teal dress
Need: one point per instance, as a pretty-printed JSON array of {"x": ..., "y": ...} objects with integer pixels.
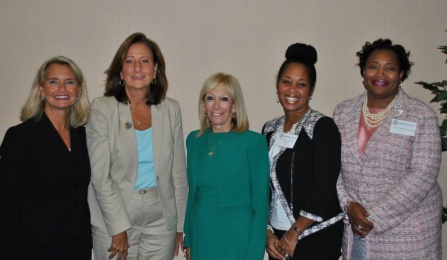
[{"x": 219, "y": 107}]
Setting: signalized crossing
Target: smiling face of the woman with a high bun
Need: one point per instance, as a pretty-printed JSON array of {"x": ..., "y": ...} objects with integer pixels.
[{"x": 294, "y": 89}]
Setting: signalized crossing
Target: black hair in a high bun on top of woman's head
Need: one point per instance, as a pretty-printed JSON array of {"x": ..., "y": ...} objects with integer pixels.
[{"x": 304, "y": 54}]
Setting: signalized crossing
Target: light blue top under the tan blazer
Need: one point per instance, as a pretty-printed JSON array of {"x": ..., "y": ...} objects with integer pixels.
[{"x": 146, "y": 171}]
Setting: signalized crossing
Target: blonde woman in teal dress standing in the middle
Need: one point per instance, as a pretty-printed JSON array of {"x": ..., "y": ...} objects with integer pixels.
[{"x": 228, "y": 175}]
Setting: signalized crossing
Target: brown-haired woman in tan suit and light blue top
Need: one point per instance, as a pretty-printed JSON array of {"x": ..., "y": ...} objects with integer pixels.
[{"x": 138, "y": 187}]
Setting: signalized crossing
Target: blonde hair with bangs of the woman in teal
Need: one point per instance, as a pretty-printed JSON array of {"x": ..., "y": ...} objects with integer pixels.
[{"x": 240, "y": 122}]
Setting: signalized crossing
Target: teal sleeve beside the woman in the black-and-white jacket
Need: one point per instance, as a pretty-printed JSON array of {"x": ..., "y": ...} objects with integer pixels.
[{"x": 260, "y": 178}]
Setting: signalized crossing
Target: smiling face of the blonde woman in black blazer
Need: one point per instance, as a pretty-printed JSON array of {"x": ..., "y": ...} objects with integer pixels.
[{"x": 59, "y": 88}]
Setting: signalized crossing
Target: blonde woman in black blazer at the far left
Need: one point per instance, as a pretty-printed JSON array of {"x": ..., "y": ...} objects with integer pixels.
[{"x": 45, "y": 170}]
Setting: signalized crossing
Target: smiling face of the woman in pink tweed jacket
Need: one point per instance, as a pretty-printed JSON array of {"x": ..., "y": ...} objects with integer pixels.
[{"x": 381, "y": 76}]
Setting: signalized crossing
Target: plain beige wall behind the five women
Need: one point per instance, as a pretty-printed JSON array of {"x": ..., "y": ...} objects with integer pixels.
[{"x": 245, "y": 38}]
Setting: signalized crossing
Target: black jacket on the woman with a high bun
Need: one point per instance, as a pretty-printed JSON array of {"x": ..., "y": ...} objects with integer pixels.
[{"x": 316, "y": 166}]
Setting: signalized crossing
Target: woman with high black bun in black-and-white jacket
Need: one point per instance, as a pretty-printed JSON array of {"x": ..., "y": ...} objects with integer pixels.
[{"x": 304, "y": 149}]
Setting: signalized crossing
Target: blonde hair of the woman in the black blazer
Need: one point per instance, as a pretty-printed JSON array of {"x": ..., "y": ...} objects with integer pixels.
[{"x": 34, "y": 106}]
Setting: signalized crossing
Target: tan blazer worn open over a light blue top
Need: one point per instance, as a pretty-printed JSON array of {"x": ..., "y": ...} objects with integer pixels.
[{"x": 112, "y": 148}]
